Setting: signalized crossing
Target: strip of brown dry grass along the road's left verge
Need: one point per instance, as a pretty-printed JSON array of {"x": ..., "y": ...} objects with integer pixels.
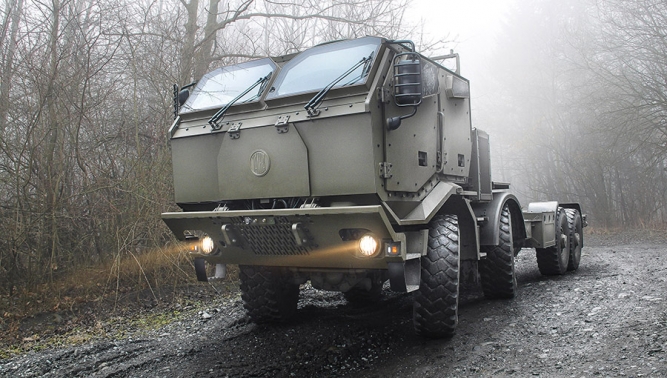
[{"x": 142, "y": 285}]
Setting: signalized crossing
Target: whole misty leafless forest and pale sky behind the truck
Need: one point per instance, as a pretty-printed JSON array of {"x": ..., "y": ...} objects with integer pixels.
[{"x": 572, "y": 92}]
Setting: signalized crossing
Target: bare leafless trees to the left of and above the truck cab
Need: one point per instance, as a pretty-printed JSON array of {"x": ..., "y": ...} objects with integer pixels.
[{"x": 85, "y": 101}]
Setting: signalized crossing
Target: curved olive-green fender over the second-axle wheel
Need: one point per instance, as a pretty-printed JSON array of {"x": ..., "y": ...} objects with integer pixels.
[{"x": 489, "y": 213}]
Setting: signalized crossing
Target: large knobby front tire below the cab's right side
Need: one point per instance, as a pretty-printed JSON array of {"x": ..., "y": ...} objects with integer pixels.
[{"x": 435, "y": 309}]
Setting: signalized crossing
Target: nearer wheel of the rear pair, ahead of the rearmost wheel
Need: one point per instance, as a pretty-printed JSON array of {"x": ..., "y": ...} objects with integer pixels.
[{"x": 554, "y": 260}]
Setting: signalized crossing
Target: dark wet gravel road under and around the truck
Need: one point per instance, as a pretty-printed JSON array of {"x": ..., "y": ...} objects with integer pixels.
[{"x": 607, "y": 319}]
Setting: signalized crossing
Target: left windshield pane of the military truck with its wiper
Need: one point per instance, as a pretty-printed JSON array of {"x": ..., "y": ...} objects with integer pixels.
[{"x": 217, "y": 88}]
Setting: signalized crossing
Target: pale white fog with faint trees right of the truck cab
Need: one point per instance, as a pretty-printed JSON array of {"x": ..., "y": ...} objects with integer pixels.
[{"x": 573, "y": 95}]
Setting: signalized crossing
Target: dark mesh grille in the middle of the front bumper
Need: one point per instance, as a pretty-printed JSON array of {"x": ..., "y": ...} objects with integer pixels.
[{"x": 275, "y": 239}]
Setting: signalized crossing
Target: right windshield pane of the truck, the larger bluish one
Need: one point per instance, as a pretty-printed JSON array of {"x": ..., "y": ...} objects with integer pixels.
[{"x": 315, "y": 68}]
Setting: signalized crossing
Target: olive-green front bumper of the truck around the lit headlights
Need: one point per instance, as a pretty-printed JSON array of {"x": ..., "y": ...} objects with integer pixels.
[{"x": 304, "y": 237}]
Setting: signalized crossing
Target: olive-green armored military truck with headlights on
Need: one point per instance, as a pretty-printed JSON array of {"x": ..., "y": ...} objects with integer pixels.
[{"x": 348, "y": 165}]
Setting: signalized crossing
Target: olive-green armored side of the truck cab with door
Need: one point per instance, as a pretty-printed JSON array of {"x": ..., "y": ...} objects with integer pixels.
[{"x": 435, "y": 140}]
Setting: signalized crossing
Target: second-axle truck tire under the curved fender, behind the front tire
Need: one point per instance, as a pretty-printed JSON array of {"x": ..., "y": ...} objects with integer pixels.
[{"x": 497, "y": 270}]
